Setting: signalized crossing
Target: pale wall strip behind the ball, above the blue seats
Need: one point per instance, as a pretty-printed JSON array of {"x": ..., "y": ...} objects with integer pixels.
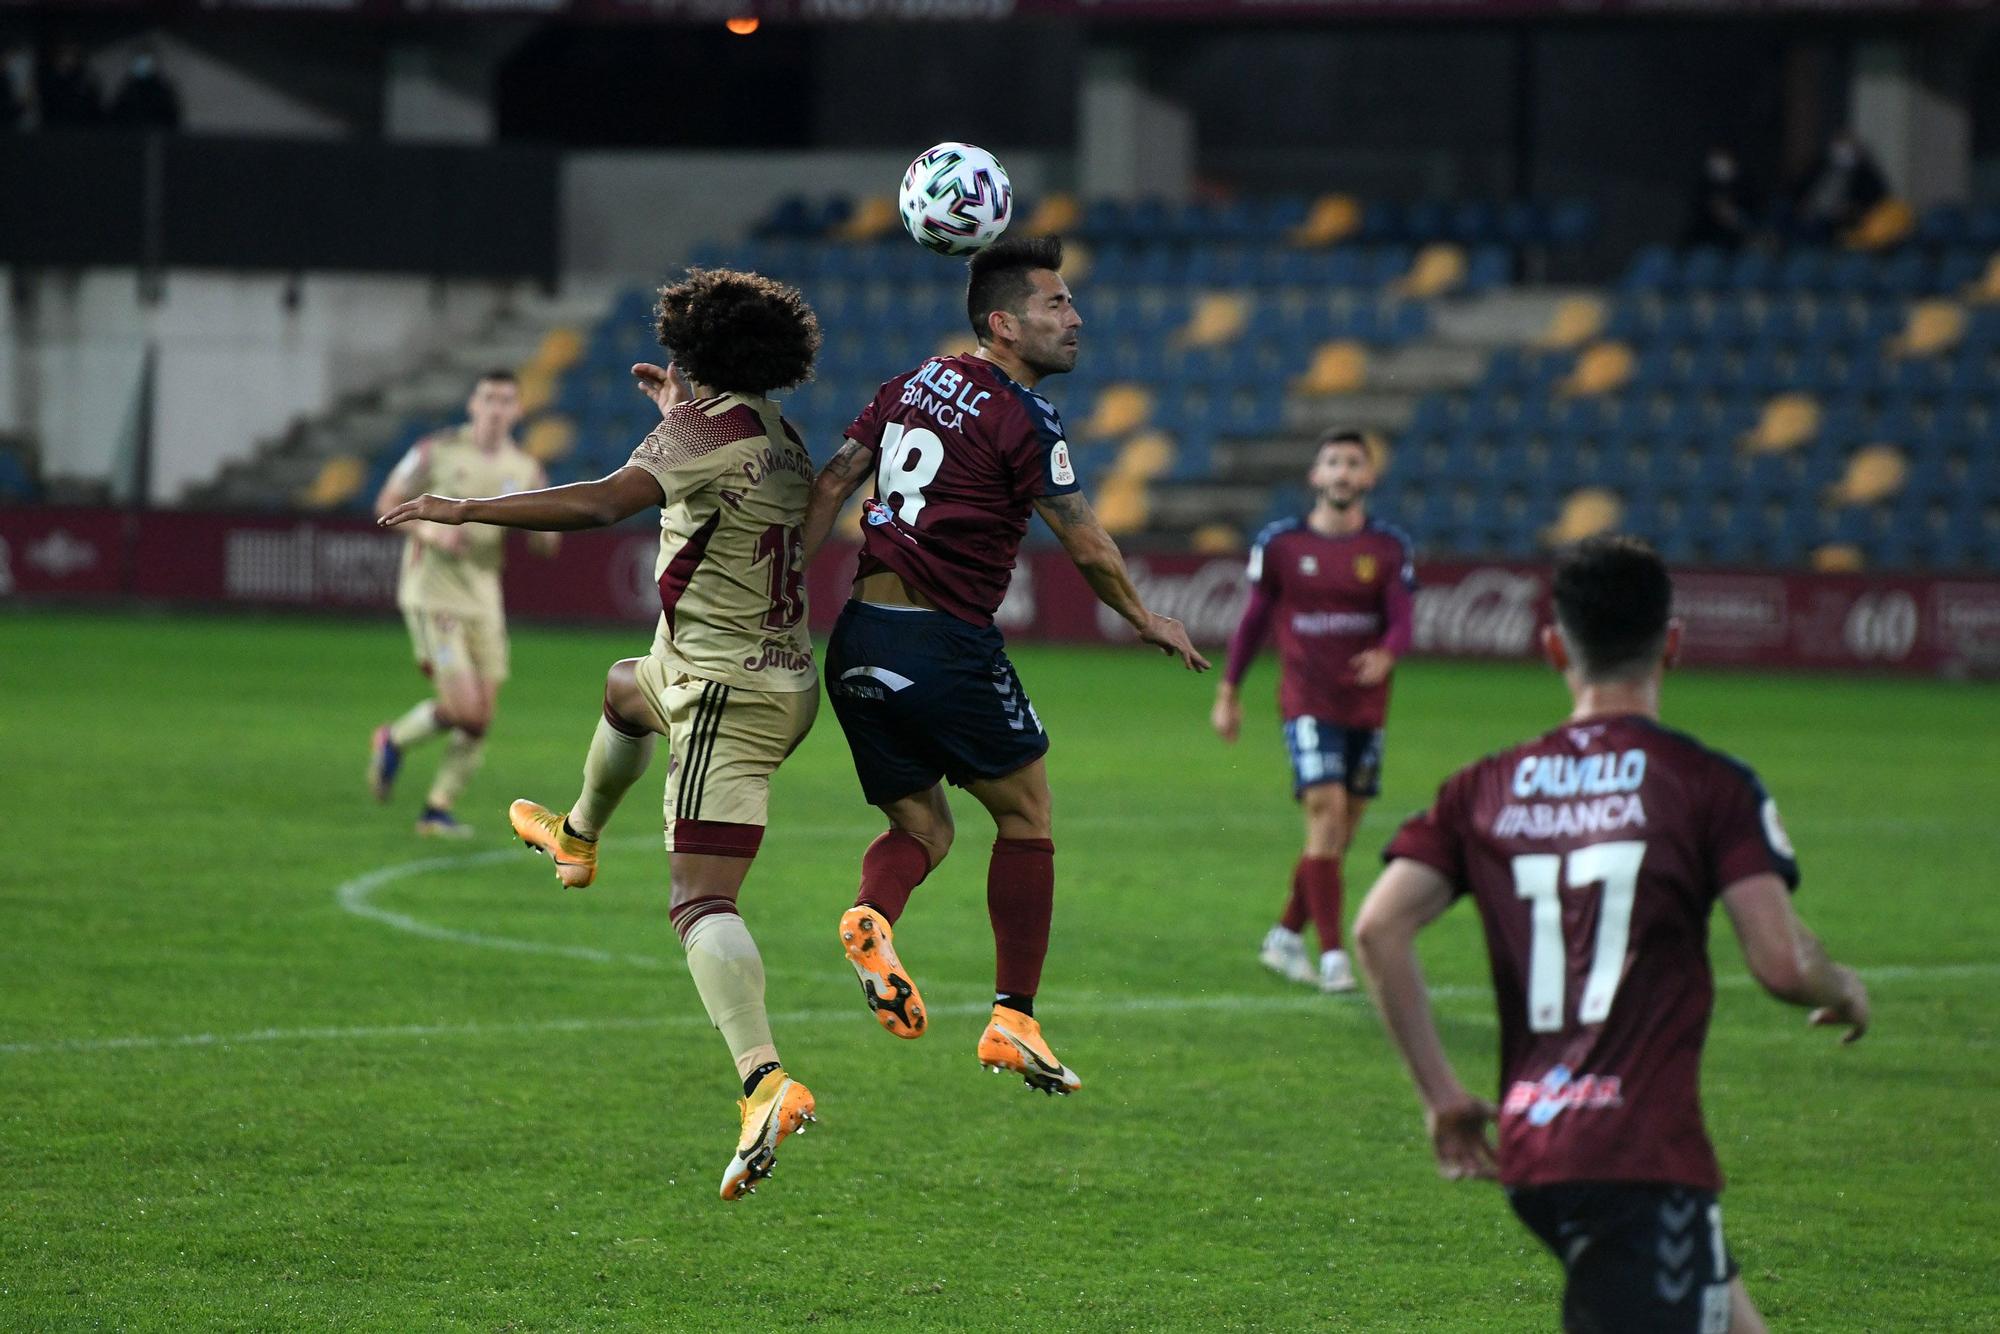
[{"x": 635, "y": 215}]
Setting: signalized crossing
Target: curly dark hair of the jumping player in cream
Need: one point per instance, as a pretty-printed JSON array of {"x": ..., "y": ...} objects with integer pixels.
[{"x": 737, "y": 333}]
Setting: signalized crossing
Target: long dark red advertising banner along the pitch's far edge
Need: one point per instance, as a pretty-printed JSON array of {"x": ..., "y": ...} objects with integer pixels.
[{"x": 1897, "y": 623}]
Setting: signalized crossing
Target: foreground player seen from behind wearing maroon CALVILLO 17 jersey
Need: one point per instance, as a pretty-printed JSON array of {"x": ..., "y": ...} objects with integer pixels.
[{"x": 1595, "y": 857}]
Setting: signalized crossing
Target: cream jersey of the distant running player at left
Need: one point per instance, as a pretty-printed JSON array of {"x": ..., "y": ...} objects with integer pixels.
[{"x": 463, "y": 583}]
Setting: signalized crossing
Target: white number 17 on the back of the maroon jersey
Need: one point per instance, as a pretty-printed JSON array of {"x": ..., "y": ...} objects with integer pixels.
[{"x": 1539, "y": 879}]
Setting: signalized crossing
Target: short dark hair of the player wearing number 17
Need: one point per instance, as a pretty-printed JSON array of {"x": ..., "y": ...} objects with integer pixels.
[{"x": 1613, "y": 601}]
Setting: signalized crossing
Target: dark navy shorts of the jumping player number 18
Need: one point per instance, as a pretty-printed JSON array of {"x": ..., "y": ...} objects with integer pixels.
[{"x": 923, "y": 697}]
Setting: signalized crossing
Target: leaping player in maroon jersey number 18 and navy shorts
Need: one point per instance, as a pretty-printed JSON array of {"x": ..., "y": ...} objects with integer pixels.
[{"x": 961, "y": 451}]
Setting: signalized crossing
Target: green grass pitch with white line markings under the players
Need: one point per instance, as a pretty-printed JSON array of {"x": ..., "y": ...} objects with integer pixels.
[{"x": 269, "y": 1063}]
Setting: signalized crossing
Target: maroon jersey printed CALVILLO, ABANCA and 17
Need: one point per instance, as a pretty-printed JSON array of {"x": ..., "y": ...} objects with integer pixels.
[{"x": 1595, "y": 857}]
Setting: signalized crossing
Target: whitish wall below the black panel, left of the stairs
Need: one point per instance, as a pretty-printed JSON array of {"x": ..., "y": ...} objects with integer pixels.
[{"x": 235, "y": 365}]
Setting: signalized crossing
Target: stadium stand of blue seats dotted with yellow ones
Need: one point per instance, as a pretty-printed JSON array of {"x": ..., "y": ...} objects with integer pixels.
[{"x": 1775, "y": 409}]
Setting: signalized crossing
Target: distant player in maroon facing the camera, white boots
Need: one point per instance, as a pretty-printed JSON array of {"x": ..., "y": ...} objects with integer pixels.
[{"x": 1337, "y": 587}]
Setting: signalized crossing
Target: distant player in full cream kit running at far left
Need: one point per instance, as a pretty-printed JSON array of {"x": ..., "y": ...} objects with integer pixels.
[{"x": 449, "y": 593}]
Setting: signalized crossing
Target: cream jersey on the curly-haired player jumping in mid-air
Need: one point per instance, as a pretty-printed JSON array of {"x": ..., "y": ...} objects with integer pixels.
[{"x": 733, "y": 573}]
